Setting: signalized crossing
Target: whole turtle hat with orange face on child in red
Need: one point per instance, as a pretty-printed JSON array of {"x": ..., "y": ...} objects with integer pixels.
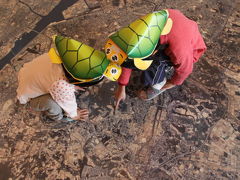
[{"x": 138, "y": 40}]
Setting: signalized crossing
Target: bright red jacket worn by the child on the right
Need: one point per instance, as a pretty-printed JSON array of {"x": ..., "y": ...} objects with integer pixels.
[{"x": 186, "y": 46}]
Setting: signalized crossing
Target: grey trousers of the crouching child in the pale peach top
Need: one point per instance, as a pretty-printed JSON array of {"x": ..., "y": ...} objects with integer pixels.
[{"x": 46, "y": 104}]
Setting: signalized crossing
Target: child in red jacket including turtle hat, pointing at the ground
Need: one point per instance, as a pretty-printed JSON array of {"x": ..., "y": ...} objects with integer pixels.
[{"x": 184, "y": 46}]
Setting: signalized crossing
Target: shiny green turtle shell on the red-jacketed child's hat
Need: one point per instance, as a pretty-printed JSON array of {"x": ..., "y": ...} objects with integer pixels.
[{"x": 140, "y": 38}]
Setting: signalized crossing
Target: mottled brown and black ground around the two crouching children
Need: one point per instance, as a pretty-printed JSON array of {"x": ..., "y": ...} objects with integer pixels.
[{"x": 189, "y": 132}]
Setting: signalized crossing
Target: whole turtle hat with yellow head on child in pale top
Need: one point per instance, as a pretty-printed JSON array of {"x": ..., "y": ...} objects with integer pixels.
[{"x": 82, "y": 62}]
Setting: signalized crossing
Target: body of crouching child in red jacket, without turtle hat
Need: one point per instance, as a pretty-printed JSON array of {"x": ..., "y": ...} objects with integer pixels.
[{"x": 185, "y": 46}]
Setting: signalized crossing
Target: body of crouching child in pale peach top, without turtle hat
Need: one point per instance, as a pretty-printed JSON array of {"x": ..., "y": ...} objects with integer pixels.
[{"x": 45, "y": 85}]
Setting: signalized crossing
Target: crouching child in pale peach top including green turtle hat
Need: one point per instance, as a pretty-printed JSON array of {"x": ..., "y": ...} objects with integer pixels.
[{"x": 46, "y": 81}]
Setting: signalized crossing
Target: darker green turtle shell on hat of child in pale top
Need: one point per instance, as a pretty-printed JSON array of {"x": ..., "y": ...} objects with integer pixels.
[{"x": 80, "y": 60}]
